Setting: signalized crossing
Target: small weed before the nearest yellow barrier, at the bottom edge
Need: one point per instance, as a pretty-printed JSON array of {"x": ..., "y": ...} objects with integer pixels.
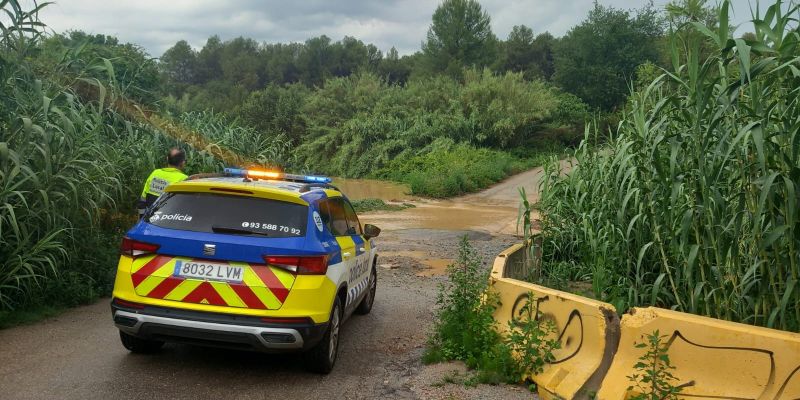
[{"x": 653, "y": 377}]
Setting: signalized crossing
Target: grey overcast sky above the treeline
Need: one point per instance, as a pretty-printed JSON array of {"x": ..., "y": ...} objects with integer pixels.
[{"x": 157, "y": 25}]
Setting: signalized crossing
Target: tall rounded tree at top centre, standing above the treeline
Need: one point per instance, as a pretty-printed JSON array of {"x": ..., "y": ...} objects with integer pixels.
[{"x": 460, "y": 35}]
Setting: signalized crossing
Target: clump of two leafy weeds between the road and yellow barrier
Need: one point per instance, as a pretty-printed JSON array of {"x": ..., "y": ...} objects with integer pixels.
[{"x": 465, "y": 328}]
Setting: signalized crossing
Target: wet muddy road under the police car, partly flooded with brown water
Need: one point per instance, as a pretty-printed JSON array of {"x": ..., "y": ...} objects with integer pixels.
[{"x": 78, "y": 355}]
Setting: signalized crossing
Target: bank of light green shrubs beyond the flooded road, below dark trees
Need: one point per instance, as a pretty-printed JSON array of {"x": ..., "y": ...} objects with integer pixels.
[{"x": 428, "y": 132}]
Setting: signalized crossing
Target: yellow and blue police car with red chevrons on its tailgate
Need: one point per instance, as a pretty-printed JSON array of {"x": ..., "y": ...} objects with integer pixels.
[{"x": 254, "y": 260}]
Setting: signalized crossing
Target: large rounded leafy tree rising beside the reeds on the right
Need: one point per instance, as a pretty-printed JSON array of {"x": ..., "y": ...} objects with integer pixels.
[{"x": 597, "y": 59}]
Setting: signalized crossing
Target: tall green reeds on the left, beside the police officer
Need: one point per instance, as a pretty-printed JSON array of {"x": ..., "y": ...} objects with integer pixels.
[{"x": 71, "y": 167}]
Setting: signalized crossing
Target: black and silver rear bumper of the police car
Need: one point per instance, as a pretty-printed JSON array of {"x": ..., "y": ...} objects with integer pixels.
[{"x": 215, "y": 330}]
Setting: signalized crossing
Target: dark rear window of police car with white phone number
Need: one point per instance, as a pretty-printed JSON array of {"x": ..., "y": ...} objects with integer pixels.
[{"x": 236, "y": 215}]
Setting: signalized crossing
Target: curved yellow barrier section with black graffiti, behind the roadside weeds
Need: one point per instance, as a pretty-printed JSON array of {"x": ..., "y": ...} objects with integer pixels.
[{"x": 588, "y": 330}]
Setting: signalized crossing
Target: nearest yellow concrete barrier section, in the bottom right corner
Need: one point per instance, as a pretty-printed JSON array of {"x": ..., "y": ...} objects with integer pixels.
[{"x": 714, "y": 359}]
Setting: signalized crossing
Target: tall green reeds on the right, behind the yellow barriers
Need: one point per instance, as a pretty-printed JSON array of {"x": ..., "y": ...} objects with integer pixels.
[{"x": 693, "y": 203}]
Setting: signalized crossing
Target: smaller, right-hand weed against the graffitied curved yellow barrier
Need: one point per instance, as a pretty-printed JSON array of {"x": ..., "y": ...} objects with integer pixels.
[{"x": 532, "y": 339}]
